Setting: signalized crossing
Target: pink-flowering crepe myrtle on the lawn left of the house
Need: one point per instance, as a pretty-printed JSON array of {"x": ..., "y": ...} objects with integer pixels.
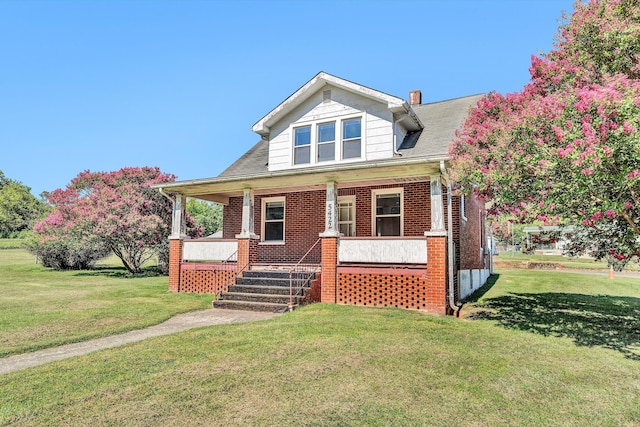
[{"x": 116, "y": 209}]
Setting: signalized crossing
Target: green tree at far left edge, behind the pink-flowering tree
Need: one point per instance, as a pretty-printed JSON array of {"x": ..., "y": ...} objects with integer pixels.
[{"x": 19, "y": 209}]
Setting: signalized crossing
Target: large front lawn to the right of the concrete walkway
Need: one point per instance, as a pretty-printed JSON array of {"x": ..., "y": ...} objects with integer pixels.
[{"x": 338, "y": 365}]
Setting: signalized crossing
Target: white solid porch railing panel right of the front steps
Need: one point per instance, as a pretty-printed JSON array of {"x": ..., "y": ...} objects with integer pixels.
[{"x": 386, "y": 250}]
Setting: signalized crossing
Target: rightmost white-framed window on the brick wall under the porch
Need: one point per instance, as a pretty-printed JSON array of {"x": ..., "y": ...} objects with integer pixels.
[{"x": 387, "y": 212}]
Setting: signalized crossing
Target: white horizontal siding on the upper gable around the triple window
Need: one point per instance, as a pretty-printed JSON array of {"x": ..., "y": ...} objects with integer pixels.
[{"x": 377, "y": 127}]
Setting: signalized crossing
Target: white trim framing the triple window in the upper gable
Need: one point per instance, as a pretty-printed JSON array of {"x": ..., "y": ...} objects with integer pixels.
[{"x": 338, "y": 140}]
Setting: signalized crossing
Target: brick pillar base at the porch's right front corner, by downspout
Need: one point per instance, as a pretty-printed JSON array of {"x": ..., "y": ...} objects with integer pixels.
[{"x": 436, "y": 272}]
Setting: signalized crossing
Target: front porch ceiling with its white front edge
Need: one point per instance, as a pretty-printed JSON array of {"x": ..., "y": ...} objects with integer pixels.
[{"x": 296, "y": 180}]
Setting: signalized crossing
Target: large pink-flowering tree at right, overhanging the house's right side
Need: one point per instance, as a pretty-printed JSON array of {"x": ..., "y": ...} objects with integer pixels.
[{"x": 566, "y": 149}]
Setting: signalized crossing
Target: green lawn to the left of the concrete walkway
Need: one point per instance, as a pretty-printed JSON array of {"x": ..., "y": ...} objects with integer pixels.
[{"x": 43, "y": 308}]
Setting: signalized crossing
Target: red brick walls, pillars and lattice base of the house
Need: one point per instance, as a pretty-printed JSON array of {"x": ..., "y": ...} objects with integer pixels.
[{"x": 422, "y": 288}]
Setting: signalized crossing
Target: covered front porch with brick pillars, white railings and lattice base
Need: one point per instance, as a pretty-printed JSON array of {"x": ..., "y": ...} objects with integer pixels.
[{"x": 292, "y": 222}]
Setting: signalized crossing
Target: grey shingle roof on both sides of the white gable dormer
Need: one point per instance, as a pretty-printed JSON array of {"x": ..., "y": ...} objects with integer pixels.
[{"x": 440, "y": 119}]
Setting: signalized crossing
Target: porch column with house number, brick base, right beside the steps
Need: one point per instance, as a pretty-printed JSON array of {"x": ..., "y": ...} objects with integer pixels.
[{"x": 330, "y": 241}]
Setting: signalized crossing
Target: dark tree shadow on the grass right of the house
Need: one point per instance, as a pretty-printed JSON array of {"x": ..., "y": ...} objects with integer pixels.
[{"x": 589, "y": 320}]
